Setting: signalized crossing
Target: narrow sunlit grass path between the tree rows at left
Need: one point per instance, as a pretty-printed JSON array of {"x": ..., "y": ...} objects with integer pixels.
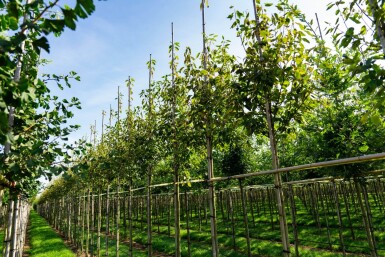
[{"x": 44, "y": 242}]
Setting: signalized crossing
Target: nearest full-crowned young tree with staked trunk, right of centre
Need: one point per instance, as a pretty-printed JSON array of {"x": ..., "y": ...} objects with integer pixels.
[{"x": 274, "y": 79}]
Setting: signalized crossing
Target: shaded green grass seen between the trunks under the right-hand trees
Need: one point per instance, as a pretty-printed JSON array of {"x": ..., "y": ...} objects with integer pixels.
[{"x": 265, "y": 238}]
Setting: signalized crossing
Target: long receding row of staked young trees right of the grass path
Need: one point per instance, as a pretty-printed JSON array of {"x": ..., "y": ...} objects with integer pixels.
[{"x": 303, "y": 93}]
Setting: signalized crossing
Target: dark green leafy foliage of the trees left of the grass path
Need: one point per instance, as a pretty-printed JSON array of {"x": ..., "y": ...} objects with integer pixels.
[{"x": 32, "y": 119}]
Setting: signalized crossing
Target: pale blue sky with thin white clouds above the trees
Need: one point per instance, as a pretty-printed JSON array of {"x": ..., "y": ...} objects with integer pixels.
[{"x": 116, "y": 40}]
